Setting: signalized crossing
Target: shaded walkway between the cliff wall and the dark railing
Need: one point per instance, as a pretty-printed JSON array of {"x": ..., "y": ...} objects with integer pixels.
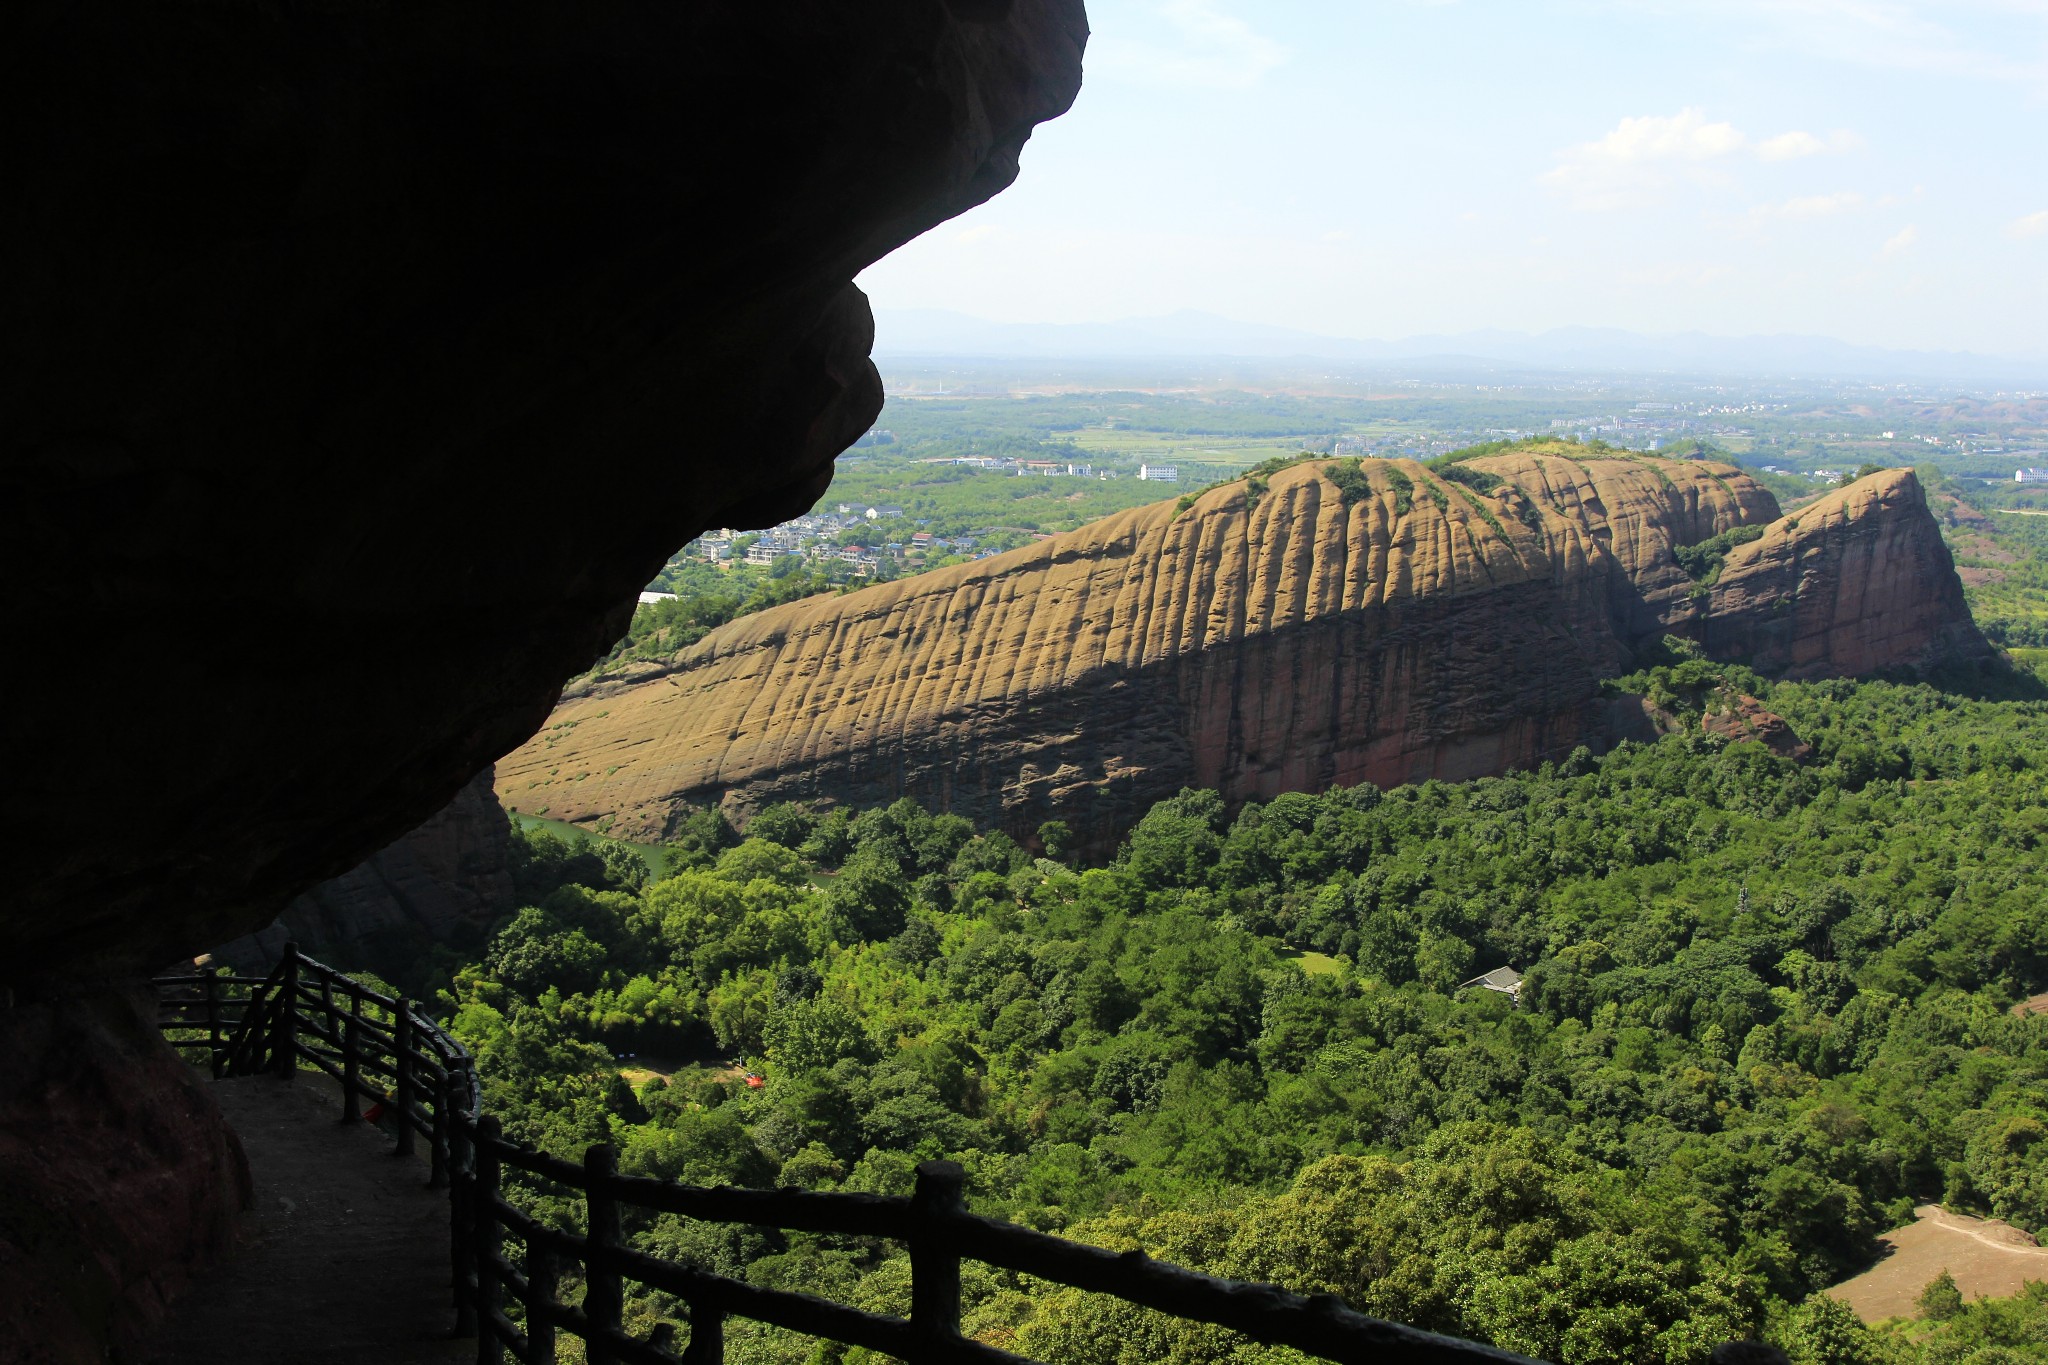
[{"x": 345, "y": 1253}]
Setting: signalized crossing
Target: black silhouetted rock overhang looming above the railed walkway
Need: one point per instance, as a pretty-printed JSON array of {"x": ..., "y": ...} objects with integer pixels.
[{"x": 364, "y": 361}]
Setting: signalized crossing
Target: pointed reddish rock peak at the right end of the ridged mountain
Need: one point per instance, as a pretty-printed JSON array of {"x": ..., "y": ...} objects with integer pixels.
[{"x": 1854, "y": 584}]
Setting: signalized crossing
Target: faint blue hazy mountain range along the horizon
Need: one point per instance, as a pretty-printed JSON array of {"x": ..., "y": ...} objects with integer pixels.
[{"x": 1189, "y": 335}]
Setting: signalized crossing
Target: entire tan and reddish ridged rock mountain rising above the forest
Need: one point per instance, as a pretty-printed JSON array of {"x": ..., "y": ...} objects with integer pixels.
[{"x": 1334, "y": 623}]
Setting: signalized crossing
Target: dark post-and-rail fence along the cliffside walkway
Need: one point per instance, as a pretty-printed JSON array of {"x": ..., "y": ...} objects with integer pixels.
[{"x": 384, "y": 1049}]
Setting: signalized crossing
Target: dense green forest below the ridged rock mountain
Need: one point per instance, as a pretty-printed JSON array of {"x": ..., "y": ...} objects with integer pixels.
[{"x": 1766, "y": 1012}]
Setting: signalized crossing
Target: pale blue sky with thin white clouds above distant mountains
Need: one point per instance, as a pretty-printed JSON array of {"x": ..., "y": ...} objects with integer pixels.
[{"x": 1863, "y": 169}]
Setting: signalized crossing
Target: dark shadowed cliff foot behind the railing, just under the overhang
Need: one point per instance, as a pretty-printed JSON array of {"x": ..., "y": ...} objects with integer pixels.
[{"x": 441, "y": 883}]
